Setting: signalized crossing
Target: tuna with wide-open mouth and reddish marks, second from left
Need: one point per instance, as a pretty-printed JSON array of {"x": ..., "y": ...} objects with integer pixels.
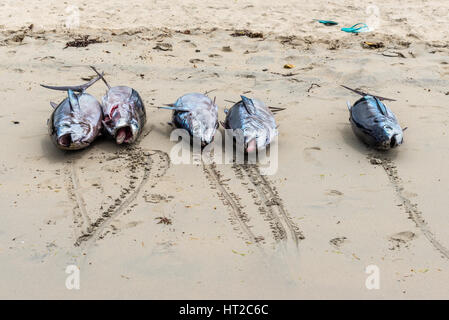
[{"x": 124, "y": 113}]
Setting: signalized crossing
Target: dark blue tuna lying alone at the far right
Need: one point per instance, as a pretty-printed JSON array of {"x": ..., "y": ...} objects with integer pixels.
[{"x": 374, "y": 123}]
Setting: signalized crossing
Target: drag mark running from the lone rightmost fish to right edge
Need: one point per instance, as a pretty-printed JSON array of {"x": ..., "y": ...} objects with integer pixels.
[{"x": 411, "y": 208}]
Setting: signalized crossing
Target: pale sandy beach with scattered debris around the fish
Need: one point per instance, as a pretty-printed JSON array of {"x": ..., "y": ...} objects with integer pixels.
[{"x": 332, "y": 209}]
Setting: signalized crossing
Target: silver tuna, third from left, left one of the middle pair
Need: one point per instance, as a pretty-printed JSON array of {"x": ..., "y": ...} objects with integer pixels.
[{"x": 196, "y": 113}]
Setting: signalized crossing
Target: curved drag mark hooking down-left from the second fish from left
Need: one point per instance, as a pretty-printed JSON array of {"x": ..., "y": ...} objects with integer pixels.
[{"x": 134, "y": 157}]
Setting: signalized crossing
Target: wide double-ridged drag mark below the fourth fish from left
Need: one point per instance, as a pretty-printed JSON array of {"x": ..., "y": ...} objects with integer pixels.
[{"x": 274, "y": 206}]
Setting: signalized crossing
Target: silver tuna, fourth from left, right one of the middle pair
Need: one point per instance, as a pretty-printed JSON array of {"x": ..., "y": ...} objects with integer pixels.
[{"x": 255, "y": 120}]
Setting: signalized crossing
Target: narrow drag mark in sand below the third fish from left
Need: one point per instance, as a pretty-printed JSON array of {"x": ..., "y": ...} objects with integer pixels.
[{"x": 229, "y": 200}]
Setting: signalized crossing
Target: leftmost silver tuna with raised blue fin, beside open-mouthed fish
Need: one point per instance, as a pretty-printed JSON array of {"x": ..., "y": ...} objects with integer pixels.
[{"x": 76, "y": 121}]
